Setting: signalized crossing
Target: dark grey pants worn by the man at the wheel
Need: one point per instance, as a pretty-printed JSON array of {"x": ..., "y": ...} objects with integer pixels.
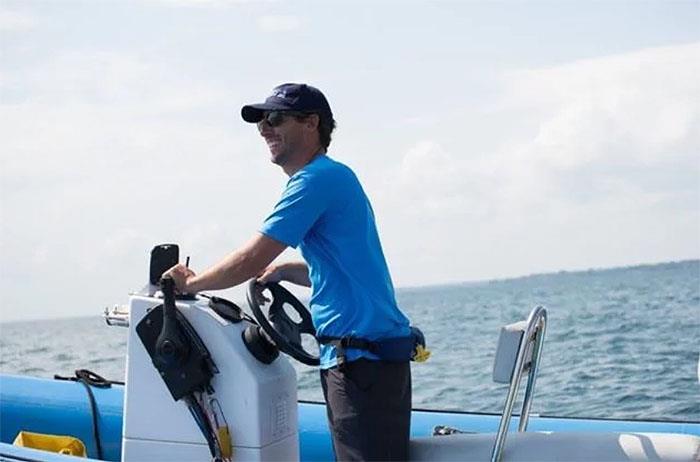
[{"x": 369, "y": 409}]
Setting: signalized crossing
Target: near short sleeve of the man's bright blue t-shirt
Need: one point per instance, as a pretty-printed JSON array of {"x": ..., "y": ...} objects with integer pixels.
[{"x": 301, "y": 205}]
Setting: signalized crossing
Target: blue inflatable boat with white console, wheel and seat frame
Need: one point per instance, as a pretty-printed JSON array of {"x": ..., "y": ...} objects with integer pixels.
[{"x": 205, "y": 381}]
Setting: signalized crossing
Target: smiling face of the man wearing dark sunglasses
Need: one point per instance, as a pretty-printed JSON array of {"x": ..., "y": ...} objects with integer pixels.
[{"x": 284, "y": 136}]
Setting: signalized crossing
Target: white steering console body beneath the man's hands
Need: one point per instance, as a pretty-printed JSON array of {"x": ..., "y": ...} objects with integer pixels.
[{"x": 259, "y": 401}]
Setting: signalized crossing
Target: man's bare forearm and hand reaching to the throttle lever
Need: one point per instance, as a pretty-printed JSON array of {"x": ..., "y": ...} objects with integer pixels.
[{"x": 237, "y": 267}]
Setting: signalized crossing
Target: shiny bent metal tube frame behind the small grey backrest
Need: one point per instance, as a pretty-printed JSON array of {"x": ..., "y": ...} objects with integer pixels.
[{"x": 533, "y": 336}]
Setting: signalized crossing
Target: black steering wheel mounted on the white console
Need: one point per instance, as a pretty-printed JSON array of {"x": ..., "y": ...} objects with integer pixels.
[{"x": 283, "y": 330}]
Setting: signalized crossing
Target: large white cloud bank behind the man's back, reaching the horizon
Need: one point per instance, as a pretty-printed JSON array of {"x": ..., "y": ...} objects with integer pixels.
[{"x": 594, "y": 162}]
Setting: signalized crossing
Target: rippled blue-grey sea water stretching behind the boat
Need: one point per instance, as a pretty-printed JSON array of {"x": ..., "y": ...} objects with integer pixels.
[{"x": 621, "y": 343}]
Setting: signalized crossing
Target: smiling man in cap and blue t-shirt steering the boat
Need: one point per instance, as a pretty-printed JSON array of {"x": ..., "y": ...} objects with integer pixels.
[{"x": 325, "y": 212}]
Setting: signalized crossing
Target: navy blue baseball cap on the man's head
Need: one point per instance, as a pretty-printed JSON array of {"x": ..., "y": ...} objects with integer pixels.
[{"x": 297, "y": 97}]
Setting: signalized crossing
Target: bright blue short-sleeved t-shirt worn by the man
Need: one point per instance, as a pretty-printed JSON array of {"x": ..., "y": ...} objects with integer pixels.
[{"x": 326, "y": 213}]
